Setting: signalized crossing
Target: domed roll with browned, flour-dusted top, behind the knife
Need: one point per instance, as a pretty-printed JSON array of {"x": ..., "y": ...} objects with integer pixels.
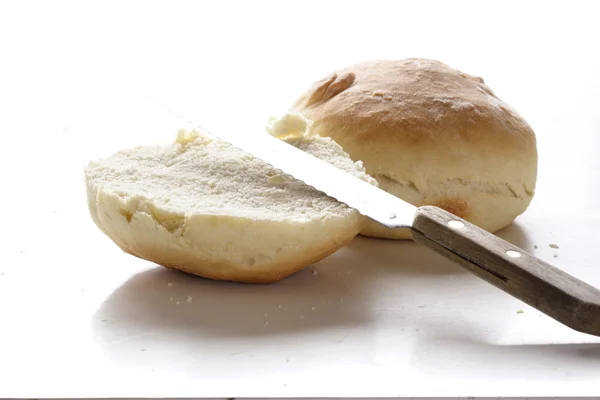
[{"x": 431, "y": 135}]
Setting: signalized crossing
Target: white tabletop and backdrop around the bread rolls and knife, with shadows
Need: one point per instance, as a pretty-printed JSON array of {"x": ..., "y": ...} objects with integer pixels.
[{"x": 80, "y": 318}]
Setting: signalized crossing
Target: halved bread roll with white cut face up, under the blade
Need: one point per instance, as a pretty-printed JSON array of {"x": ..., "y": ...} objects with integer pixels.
[{"x": 201, "y": 206}]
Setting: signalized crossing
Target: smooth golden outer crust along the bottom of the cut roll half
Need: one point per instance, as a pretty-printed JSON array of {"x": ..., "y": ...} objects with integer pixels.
[{"x": 145, "y": 238}]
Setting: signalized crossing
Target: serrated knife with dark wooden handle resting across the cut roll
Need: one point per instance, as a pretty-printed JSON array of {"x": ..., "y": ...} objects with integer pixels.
[{"x": 557, "y": 294}]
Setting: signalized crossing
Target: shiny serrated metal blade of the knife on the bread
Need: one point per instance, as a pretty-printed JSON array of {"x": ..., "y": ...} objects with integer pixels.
[{"x": 369, "y": 200}]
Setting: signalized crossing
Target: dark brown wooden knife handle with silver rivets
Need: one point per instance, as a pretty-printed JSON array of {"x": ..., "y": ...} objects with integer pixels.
[{"x": 511, "y": 269}]
